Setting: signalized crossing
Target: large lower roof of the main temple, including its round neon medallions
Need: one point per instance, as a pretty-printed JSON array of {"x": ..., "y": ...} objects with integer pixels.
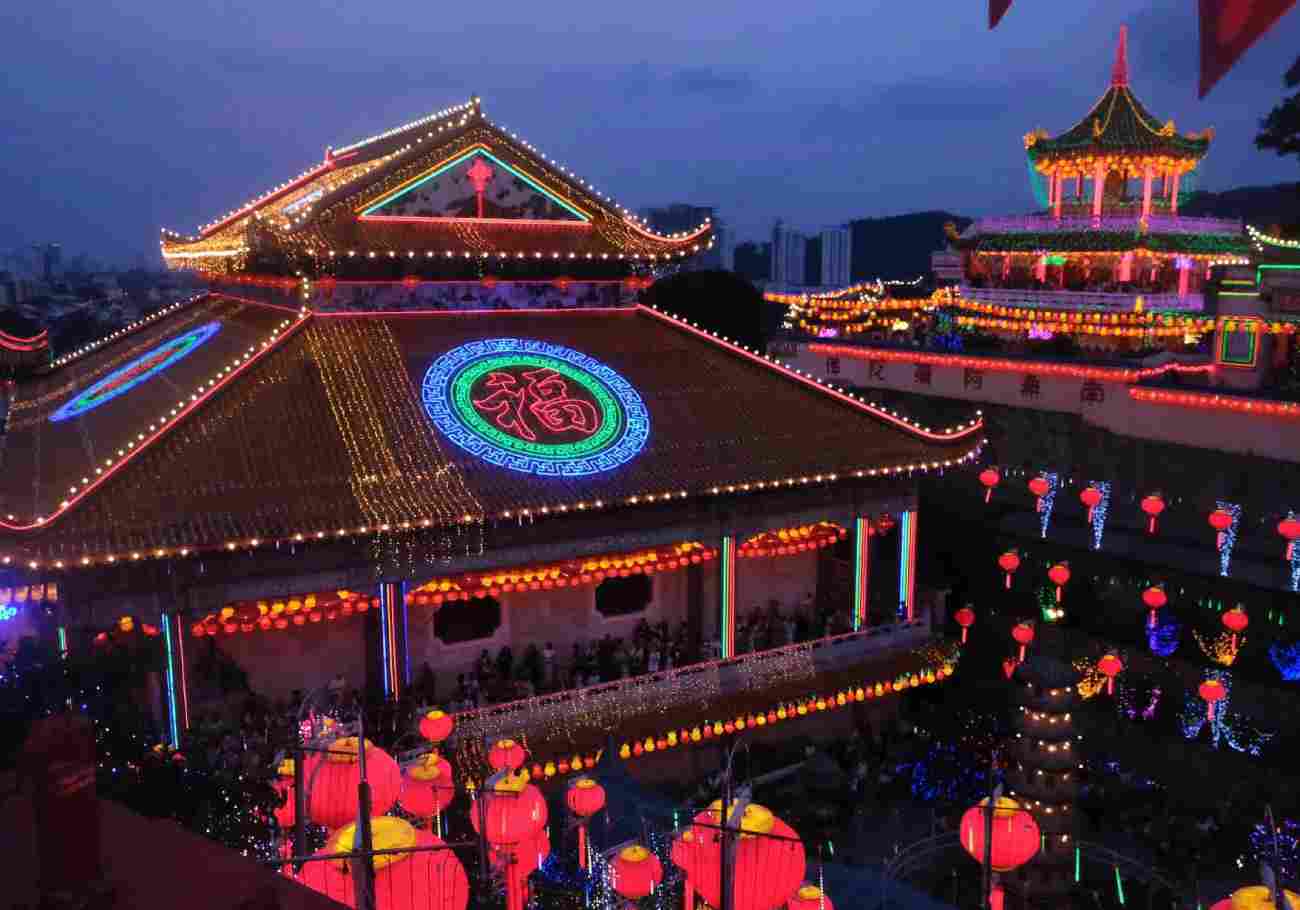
[{"x": 284, "y": 426}]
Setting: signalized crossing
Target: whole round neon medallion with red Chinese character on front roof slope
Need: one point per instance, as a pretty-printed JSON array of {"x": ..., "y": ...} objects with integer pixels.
[{"x": 536, "y": 408}]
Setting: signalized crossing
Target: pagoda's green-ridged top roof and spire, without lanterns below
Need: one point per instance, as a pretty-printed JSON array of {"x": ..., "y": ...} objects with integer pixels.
[{"x": 1119, "y": 124}]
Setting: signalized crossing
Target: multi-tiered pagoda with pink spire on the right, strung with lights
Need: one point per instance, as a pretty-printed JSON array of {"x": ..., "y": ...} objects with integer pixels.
[{"x": 1111, "y": 237}]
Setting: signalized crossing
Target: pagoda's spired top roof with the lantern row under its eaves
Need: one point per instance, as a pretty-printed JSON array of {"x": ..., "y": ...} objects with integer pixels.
[{"x": 1119, "y": 131}]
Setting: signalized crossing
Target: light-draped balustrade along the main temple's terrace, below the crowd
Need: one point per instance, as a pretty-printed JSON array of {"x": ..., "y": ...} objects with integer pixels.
[{"x": 665, "y": 690}]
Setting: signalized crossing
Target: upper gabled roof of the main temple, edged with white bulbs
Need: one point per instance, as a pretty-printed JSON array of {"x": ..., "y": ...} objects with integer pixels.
[{"x": 450, "y": 187}]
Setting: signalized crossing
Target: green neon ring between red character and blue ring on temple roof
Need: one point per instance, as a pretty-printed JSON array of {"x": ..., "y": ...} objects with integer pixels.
[{"x": 612, "y": 414}]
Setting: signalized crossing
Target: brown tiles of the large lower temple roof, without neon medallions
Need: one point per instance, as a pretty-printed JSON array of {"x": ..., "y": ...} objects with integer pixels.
[{"x": 328, "y": 432}]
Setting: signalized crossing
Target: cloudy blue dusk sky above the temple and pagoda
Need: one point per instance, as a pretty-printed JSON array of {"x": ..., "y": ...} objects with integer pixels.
[{"x": 129, "y": 116}]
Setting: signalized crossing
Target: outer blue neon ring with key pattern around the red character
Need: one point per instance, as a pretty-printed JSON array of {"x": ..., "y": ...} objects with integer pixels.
[{"x": 437, "y": 404}]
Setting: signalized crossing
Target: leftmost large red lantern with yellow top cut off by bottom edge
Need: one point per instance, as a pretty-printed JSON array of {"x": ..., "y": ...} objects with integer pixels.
[{"x": 424, "y": 881}]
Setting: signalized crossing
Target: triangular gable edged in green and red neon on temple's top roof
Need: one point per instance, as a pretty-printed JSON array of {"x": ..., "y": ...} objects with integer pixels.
[{"x": 475, "y": 184}]
